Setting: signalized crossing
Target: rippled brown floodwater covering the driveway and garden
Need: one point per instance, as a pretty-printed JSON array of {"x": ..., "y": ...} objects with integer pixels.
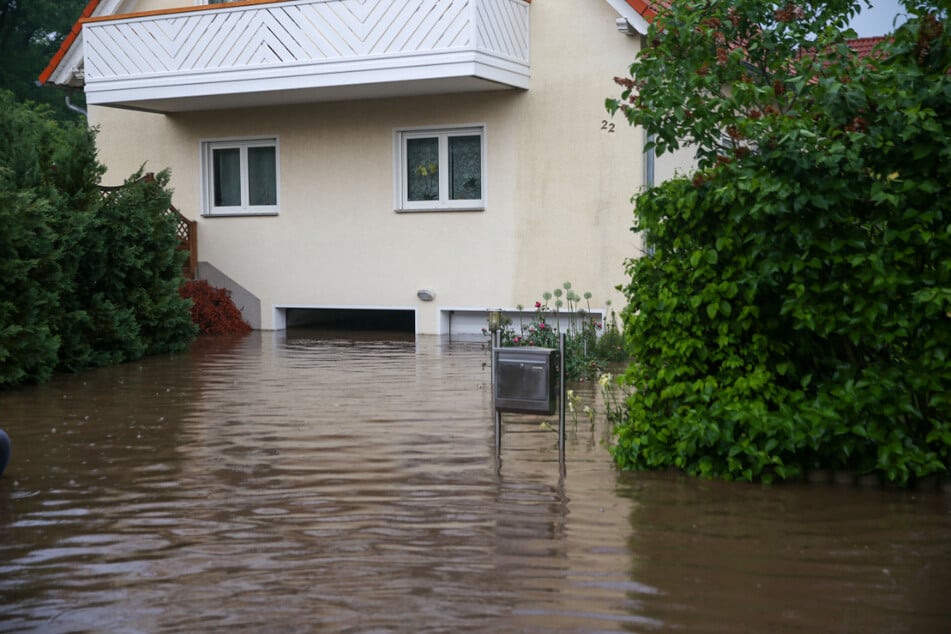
[{"x": 350, "y": 484}]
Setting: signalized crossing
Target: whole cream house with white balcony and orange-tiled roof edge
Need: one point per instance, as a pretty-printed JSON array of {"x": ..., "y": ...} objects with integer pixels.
[{"x": 425, "y": 160}]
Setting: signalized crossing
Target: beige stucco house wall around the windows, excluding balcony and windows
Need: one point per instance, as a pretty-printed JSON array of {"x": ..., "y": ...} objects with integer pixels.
[{"x": 558, "y": 187}]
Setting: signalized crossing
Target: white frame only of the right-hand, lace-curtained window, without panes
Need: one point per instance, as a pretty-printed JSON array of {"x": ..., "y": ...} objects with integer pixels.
[{"x": 442, "y": 133}]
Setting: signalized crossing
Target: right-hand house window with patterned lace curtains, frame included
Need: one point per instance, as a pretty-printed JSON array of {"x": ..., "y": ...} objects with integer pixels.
[{"x": 440, "y": 169}]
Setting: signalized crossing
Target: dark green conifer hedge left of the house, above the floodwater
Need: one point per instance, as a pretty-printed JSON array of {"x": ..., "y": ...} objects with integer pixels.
[{"x": 85, "y": 279}]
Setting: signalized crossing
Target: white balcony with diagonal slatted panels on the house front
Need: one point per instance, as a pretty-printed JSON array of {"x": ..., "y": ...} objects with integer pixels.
[{"x": 301, "y": 51}]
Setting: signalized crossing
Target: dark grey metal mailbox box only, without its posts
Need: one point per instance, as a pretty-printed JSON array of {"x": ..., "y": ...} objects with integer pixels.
[{"x": 526, "y": 380}]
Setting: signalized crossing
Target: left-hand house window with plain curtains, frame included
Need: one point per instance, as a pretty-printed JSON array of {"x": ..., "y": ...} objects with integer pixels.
[{"x": 239, "y": 177}]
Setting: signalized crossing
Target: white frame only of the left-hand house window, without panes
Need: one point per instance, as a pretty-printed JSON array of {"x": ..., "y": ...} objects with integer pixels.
[{"x": 207, "y": 176}]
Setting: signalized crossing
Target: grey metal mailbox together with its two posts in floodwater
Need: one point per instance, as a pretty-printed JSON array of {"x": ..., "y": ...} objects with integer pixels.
[{"x": 529, "y": 380}]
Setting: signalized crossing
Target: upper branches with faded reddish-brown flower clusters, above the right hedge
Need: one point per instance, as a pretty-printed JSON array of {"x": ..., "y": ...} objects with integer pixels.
[{"x": 723, "y": 77}]
